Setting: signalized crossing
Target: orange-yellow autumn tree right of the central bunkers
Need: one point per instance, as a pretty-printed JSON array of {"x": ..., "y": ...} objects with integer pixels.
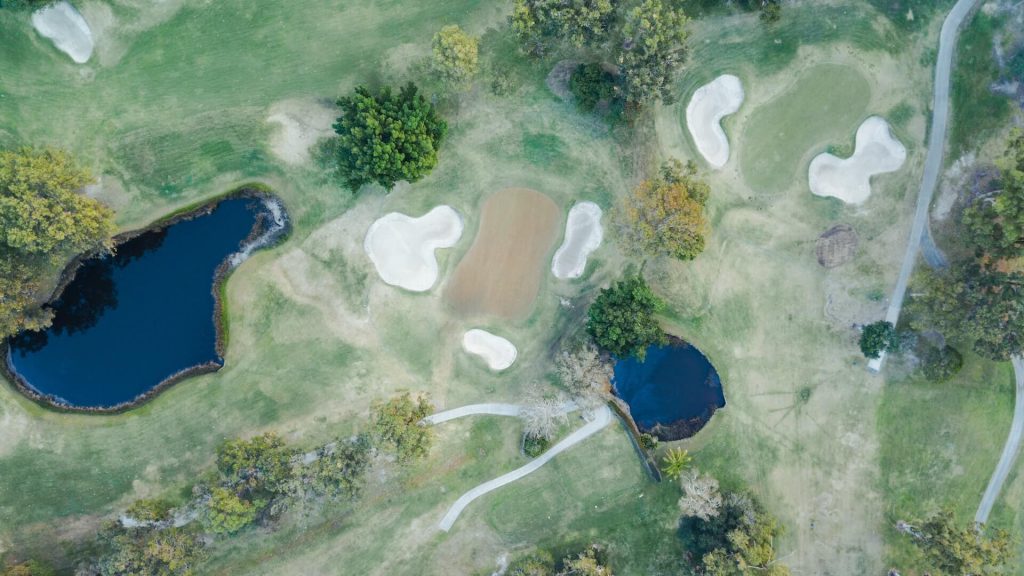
[{"x": 665, "y": 216}]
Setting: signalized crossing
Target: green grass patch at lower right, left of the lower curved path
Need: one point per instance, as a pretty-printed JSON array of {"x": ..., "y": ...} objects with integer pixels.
[{"x": 941, "y": 445}]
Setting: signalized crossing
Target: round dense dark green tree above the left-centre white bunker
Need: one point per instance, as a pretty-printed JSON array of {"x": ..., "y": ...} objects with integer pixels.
[{"x": 388, "y": 138}]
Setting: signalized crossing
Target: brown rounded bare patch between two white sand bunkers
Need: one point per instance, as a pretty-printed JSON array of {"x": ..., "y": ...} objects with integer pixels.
[{"x": 501, "y": 274}]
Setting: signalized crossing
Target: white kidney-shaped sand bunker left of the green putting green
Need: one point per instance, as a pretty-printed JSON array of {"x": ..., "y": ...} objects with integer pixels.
[{"x": 710, "y": 104}]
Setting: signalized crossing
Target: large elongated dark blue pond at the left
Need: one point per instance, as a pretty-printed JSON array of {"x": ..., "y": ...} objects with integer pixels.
[{"x": 131, "y": 321}]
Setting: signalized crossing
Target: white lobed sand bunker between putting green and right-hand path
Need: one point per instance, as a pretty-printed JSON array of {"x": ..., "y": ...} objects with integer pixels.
[{"x": 849, "y": 180}]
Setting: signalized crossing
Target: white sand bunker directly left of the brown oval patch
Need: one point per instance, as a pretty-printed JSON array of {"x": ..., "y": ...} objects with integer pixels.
[{"x": 403, "y": 249}]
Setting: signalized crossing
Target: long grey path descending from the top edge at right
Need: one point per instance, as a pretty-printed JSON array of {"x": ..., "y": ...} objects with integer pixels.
[{"x": 933, "y": 161}]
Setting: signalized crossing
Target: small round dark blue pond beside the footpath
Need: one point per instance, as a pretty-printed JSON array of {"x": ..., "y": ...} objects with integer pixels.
[{"x": 673, "y": 393}]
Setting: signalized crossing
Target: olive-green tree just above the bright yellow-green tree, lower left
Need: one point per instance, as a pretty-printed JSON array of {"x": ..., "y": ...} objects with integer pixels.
[{"x": 261, "y": 466}]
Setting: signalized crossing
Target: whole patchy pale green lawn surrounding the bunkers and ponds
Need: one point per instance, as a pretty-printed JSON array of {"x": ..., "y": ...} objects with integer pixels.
[{"x": 176, "y": 109}]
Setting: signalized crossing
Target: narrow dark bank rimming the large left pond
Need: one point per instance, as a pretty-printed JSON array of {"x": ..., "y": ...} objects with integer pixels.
[{"x": 224, "y": 272}]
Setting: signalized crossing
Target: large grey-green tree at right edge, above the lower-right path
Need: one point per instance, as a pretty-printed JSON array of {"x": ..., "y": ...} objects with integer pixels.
[{"x": 975, "y": 302}]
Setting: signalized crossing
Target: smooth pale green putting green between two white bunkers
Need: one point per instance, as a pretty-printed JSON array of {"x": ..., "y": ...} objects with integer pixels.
[{"x": 826, "y": 105}]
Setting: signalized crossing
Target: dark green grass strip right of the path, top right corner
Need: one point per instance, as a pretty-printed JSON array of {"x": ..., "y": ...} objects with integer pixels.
[{"x": 977, "y": 112}]
